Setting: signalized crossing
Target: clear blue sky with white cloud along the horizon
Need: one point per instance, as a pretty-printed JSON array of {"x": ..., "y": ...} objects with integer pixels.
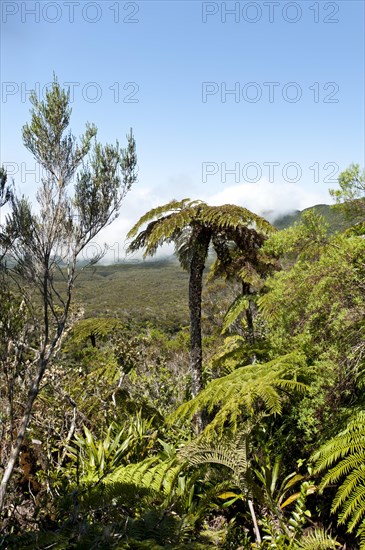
[{"x": 259, "y": 103}]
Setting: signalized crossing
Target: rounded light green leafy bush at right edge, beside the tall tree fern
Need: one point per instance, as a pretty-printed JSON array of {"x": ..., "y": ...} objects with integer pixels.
[{"x": 314, "y": 301}]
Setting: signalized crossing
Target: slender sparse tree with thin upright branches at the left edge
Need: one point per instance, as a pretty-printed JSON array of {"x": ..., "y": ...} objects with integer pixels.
[{"x": 43, "y": 244}]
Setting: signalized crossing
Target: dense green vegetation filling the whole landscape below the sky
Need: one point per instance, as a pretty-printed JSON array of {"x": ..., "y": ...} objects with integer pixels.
[{"x": 111, "y": 455}]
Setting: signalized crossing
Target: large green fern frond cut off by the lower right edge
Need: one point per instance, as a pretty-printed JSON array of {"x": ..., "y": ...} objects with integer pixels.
[{"x": 344, "y": 457}]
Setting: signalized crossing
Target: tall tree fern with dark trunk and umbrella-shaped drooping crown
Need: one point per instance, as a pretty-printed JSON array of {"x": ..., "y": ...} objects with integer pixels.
[{"x": 193, "y": 226}]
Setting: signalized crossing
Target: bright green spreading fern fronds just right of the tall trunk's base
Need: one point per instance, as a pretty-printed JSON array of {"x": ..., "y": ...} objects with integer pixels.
[{"x": 245, "y": 389}]
